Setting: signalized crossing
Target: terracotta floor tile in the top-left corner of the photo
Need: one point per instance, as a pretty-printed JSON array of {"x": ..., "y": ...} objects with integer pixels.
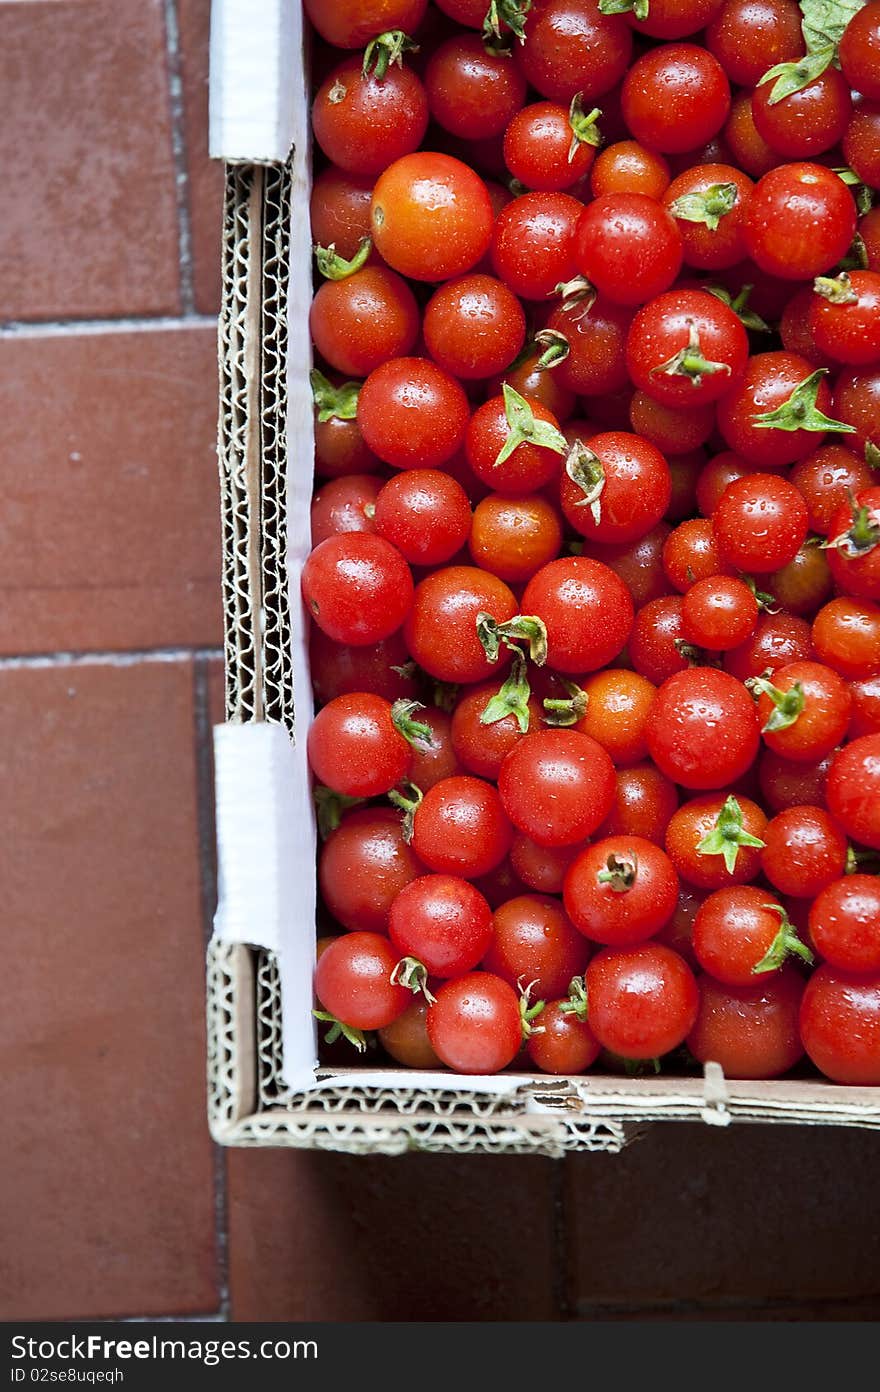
[{"x": 90, "y": 225}]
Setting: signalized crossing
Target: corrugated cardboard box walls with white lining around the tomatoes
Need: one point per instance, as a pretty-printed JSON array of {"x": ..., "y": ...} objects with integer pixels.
[{"x": 265, "y": 1085}]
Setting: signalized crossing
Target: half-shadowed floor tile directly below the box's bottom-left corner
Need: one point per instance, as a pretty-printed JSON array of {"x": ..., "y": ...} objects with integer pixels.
[{"x": 374, "y": 1238}]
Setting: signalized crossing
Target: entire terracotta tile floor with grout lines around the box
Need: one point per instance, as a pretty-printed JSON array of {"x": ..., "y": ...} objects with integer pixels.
[{"x": 113, "y": 1202}]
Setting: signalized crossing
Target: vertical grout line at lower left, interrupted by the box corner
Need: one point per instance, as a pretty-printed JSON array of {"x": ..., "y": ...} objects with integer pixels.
[{"x": 208, "y": 865}]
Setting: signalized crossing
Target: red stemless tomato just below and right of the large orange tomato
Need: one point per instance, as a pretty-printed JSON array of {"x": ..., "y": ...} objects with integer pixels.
[{"x": 474, "y": 326}]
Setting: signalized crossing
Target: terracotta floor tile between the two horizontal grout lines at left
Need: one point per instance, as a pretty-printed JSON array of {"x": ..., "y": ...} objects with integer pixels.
[{"x": 111, "y": 525}]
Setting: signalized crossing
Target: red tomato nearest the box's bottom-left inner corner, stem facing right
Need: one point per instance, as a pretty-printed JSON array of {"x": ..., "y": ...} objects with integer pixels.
[{"x": 353, "y": 982}]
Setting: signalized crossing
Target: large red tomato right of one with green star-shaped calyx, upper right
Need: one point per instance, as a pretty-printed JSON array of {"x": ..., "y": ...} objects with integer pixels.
[{"x": 801, "y": 221}]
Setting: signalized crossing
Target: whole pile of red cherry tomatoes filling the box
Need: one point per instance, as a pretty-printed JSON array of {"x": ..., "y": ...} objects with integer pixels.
[{"x": 595, "y": 573}]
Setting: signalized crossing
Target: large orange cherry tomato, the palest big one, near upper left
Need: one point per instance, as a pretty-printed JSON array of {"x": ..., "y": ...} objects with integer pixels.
[{"x": 431, "y": 216}]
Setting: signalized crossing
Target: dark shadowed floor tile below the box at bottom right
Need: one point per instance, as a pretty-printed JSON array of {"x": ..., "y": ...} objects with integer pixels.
[{"x": 751, "y": 1215}]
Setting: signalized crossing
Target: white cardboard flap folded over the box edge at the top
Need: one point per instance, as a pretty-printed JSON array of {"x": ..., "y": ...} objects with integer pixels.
[{"x": 256, "y": 54}]
